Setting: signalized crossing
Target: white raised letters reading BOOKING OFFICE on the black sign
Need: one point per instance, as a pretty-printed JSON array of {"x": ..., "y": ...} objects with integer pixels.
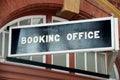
[{"x": 56, "y": 38}]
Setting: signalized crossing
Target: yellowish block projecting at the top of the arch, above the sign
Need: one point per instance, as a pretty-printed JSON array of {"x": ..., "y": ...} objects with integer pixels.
[{"x": 69, "y": 9}]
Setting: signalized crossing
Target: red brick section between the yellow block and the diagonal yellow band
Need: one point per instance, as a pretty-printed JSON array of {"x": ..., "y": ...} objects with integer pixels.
[{"x": 93, "y": 8}]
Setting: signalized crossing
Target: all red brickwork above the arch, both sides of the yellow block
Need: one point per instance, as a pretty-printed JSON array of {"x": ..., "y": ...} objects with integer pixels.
[{"x": 11, "y": 9}]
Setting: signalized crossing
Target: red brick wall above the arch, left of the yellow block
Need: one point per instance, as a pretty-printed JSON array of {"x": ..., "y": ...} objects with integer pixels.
[{"x": 9, "y": 9}]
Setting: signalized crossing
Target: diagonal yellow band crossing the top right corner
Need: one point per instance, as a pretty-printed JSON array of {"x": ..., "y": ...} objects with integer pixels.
[{"x": 110, "y": 7}]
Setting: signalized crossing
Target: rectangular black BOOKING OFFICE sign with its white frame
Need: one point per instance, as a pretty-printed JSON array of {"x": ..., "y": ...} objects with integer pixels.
[{"x": 99, "y": 34}]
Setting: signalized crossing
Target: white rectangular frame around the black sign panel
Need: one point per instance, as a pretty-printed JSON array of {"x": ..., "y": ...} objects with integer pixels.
[{"x": 113, "y": 41}]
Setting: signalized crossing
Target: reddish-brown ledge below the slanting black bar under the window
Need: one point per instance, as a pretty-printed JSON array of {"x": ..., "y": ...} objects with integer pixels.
[{"x": 16, "y": 72}]
